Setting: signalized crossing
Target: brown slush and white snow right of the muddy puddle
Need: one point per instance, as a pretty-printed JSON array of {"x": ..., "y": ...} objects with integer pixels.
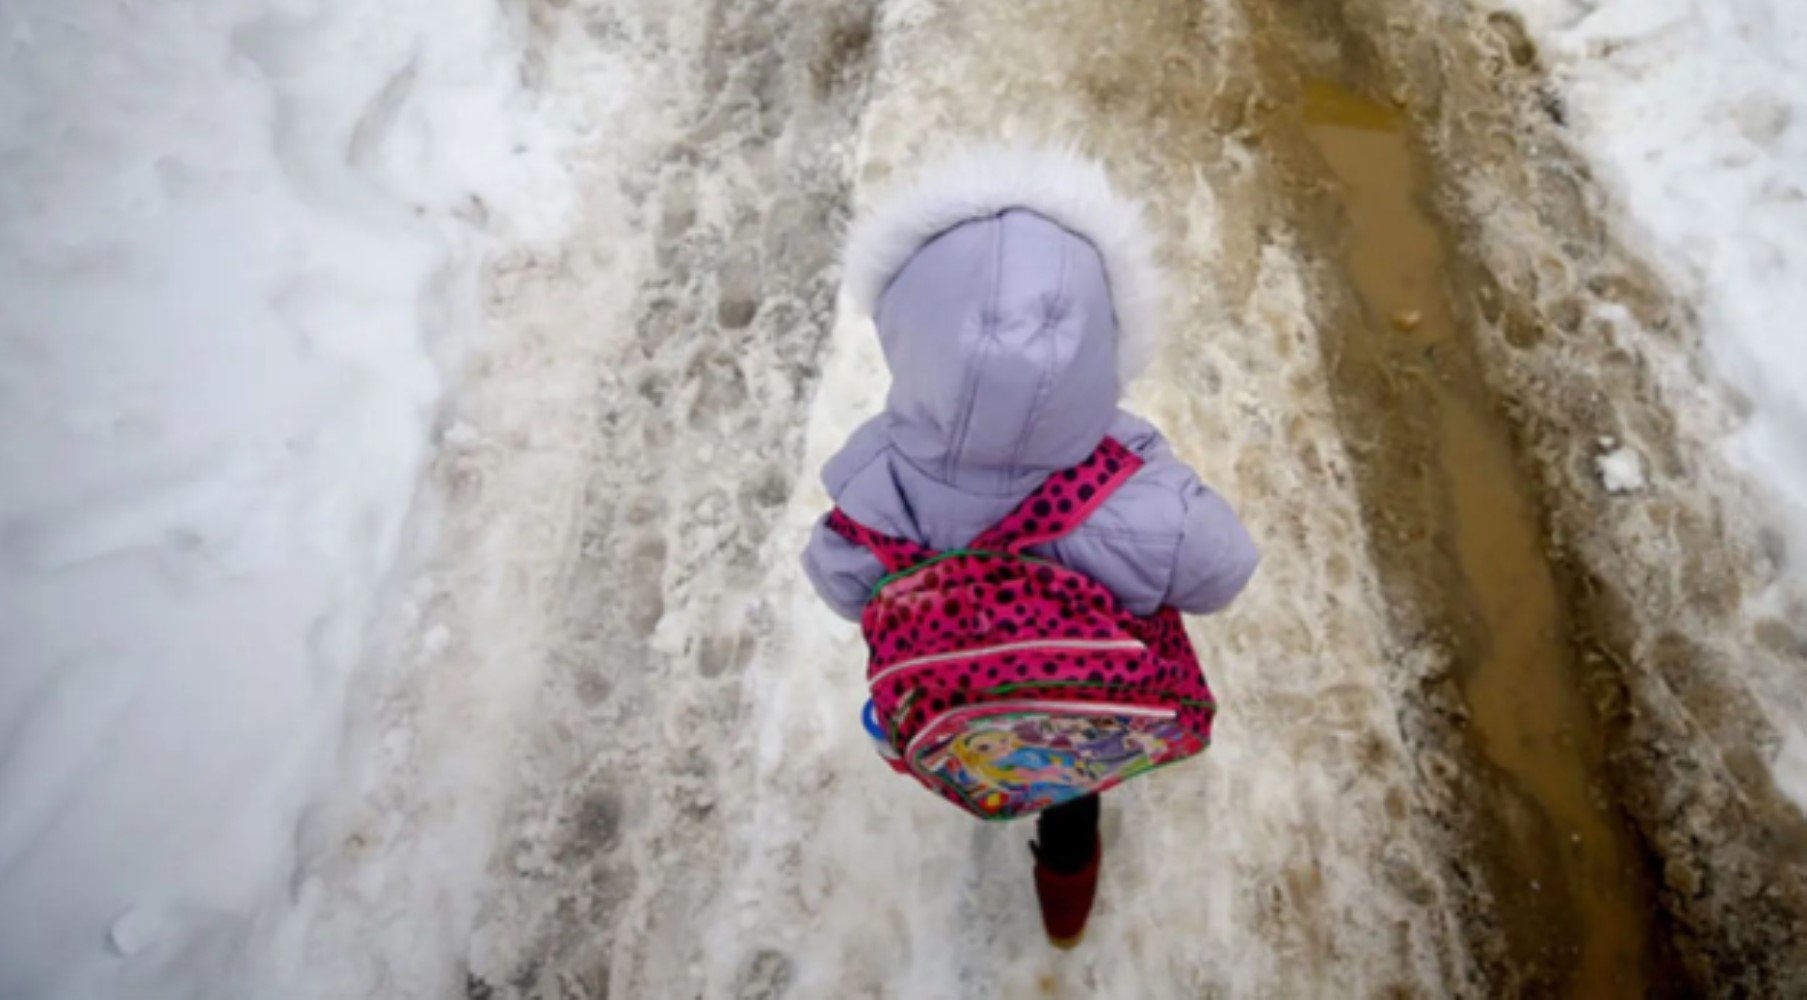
[{"x": 1618, "y": 312}]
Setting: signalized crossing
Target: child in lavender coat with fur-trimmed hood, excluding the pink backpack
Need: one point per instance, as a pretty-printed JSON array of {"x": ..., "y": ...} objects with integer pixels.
[{"x": 1015, "y": 296}]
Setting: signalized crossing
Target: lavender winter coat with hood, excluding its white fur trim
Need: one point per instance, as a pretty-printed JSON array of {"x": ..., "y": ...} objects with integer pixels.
[{"x": 1002, "y": 346}]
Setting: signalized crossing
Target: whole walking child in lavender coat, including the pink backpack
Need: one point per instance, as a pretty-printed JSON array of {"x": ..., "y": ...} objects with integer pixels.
[{"x": 1022, "y": 540}]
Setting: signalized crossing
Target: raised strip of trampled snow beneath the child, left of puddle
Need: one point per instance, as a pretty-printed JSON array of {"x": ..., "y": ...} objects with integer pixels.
[{"x": 854, "y": 883}]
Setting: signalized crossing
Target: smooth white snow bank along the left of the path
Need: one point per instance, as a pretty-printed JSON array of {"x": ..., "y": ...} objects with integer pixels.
[{"x": 239, "y": 250}]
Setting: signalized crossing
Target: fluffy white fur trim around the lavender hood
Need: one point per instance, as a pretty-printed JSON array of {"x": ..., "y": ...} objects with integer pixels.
[{"x": 984, "y": 182}]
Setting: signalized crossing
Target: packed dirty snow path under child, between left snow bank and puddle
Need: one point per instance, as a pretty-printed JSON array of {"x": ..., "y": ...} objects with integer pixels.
[{"x": 662, "y": 710}]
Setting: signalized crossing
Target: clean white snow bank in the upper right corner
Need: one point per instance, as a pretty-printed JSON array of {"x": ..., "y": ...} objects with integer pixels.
[{"x": 1694, "y": 115}]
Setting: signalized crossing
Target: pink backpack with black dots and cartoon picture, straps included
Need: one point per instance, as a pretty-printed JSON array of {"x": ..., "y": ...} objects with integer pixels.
[{"x": 1011, "y": 684}]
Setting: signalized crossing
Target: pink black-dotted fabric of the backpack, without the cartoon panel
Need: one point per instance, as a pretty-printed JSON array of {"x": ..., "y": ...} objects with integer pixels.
[{"x": 989, "y": 630}]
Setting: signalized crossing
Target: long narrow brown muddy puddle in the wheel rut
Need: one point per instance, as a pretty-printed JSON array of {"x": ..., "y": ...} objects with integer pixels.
[{"x": 1589, "y": 903}]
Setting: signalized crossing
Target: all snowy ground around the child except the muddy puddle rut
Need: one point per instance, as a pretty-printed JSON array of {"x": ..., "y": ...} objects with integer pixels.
[{"x": 413, "y": 419}]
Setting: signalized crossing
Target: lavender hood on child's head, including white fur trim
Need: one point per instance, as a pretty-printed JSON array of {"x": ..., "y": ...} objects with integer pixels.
[{"x": 1015, "y": 296}]
